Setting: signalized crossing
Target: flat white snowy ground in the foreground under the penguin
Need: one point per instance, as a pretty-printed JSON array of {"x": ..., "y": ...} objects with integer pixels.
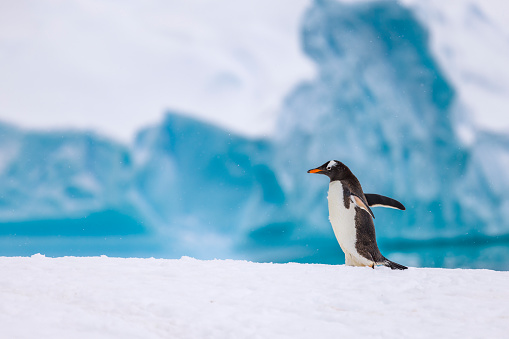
[{"x": 157, "y": 298}]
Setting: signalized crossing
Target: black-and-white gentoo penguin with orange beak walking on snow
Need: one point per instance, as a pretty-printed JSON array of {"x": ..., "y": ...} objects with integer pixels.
[{"x": 351, "y": 217}]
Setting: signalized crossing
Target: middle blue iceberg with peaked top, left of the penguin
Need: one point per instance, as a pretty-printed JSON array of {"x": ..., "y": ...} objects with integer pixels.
[{"x": 204, "y": 186}]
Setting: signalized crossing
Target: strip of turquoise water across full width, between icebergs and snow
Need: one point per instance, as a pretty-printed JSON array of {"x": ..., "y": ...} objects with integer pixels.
[{"x": 113, "y": 233}]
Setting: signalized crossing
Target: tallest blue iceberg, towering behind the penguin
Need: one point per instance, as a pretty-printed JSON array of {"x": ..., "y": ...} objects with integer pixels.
[{"x": 381, "y": 105}]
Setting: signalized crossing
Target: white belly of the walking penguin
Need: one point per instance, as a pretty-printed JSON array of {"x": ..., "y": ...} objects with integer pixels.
[{"x": 343, "y": 224}]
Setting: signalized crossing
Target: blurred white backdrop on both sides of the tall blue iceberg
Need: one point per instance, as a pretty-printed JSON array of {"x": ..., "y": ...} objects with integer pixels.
[{"x": 115, "y": 65}]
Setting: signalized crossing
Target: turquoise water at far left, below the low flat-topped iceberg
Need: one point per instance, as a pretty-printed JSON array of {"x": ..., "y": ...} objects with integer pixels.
[{"x": 108, "y": 233}]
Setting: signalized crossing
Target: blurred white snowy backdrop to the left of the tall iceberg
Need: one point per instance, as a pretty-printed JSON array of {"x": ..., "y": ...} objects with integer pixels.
[{"x": 115, "y": 66}]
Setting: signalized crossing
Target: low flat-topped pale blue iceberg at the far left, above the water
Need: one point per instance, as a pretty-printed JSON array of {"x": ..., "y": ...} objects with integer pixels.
[{"x": 60, "y": 173}]
